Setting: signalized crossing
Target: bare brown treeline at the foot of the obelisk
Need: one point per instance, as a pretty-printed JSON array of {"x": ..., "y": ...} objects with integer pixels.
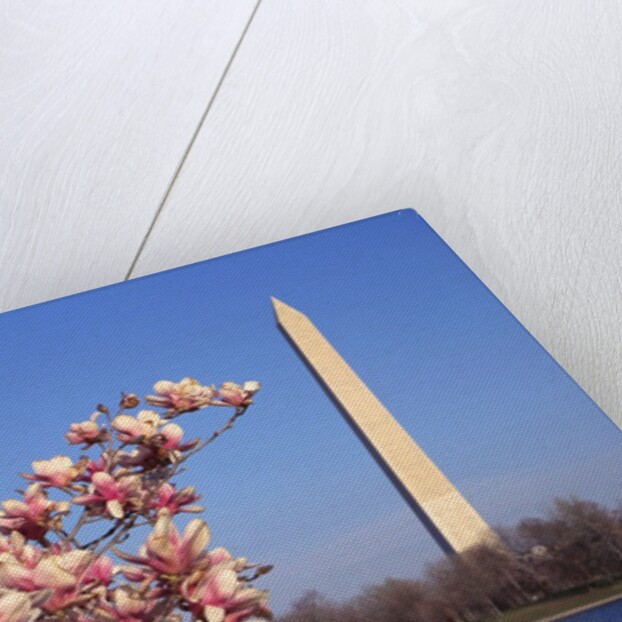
[{"x": 578, "y": 545}]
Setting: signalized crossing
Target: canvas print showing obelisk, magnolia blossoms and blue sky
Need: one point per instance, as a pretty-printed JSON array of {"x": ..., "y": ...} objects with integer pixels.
[{"x": 343, "y": 427}]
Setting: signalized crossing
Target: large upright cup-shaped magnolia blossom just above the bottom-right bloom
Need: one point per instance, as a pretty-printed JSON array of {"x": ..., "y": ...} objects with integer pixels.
[{"x": 167, "y": 552}]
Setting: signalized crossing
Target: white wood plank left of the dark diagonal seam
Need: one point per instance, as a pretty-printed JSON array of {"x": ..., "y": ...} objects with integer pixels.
[{"x": 98, "y": 103}]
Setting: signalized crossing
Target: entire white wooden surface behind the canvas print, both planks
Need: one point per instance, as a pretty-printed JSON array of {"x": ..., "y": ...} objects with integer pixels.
[{"x": 500, "y": 122}]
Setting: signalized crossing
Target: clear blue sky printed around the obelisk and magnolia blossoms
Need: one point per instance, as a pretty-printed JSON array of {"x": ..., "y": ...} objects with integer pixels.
[{"x": 291, "y": 485}]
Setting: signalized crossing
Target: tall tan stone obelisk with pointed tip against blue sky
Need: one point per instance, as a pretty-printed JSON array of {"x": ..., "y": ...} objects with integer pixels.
[{"x": 448, "y": 516}]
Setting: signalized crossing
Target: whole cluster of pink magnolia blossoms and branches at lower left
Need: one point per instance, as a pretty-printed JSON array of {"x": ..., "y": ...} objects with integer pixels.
[{"x": 48, "y": 572}]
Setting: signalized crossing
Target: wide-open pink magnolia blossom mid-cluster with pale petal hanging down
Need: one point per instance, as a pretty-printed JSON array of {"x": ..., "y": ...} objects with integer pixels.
[{"x": 114, "y": 496}]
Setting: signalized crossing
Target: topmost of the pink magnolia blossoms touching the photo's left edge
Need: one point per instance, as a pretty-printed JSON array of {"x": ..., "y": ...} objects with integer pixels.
[{"x": 32, "y": 517}]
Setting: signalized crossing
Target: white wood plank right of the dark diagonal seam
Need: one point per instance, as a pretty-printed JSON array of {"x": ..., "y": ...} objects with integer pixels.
[{"x": 500, "y": 122}]
